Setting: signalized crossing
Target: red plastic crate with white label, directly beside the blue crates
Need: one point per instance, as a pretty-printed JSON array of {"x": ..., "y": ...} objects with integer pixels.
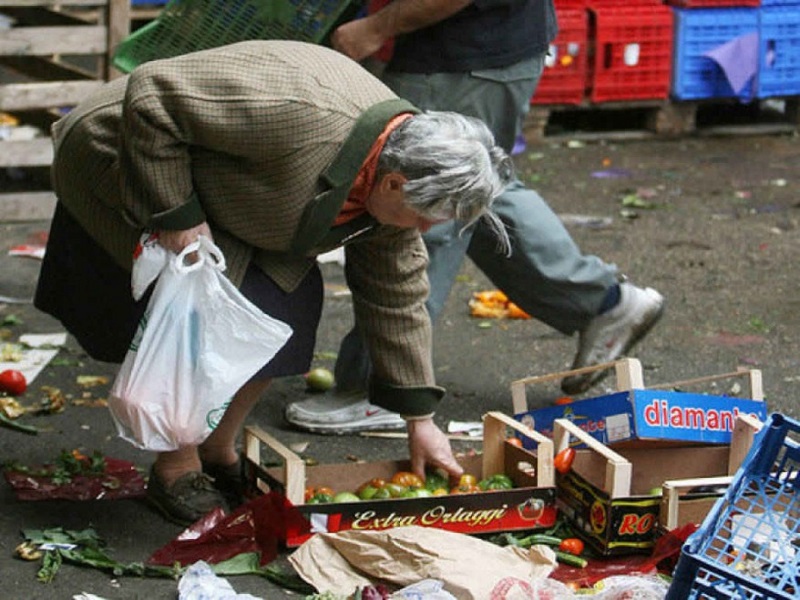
[{"x": 632, "y": 57}]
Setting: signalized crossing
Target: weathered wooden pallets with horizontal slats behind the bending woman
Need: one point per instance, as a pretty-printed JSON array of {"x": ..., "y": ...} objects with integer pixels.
[{"x": 52, "y": 55}]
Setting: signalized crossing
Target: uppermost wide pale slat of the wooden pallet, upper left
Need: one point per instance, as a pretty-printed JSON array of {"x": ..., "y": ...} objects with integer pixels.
[{"x": 79, "y": 39}]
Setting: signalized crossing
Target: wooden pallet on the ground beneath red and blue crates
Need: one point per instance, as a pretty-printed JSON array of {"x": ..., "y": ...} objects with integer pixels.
[{"x": 660, "y": 118}]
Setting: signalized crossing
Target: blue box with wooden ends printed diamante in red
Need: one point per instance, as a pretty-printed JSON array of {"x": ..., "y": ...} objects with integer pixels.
[{"x": 635, "y": 414}]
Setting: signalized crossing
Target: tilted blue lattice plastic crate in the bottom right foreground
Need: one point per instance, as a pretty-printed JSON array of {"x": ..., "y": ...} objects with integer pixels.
[{"x": 748, "y": 546}]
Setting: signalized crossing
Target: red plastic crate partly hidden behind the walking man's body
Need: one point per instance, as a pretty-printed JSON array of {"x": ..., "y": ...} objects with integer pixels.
[{"x": 563, "y": 80}]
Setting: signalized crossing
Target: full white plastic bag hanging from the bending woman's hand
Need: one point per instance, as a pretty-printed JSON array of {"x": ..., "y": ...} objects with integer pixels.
[{"x": 198, "y": 342}]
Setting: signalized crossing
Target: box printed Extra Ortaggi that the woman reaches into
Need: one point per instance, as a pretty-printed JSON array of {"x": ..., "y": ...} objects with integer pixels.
[{"x": 530, "y": 505}]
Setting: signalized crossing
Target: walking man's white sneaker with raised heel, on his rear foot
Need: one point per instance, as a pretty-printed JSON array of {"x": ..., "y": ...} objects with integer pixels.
[{"x": 613, "y": 334}]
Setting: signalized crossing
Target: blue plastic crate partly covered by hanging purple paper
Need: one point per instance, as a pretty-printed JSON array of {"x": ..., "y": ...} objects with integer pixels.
[{"x": 698, "y": 30}]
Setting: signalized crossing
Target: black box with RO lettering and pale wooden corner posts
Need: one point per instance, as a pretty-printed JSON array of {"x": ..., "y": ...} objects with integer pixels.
[{"x": 609, "y": 495}]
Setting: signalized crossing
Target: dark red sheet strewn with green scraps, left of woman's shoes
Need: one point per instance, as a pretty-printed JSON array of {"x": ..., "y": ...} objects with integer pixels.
[{"x": 73, "y": 475}]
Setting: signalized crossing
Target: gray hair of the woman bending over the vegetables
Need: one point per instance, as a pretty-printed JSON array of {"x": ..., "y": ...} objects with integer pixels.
[{"x": 453, "y": 168}]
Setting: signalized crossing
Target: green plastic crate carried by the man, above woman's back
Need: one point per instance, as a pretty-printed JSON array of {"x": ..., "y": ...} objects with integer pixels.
[{"x": 189, "y": 25}]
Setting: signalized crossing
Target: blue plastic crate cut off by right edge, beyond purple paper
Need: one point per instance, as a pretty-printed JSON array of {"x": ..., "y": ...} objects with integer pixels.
[{"x": 779, "y": 52}]
